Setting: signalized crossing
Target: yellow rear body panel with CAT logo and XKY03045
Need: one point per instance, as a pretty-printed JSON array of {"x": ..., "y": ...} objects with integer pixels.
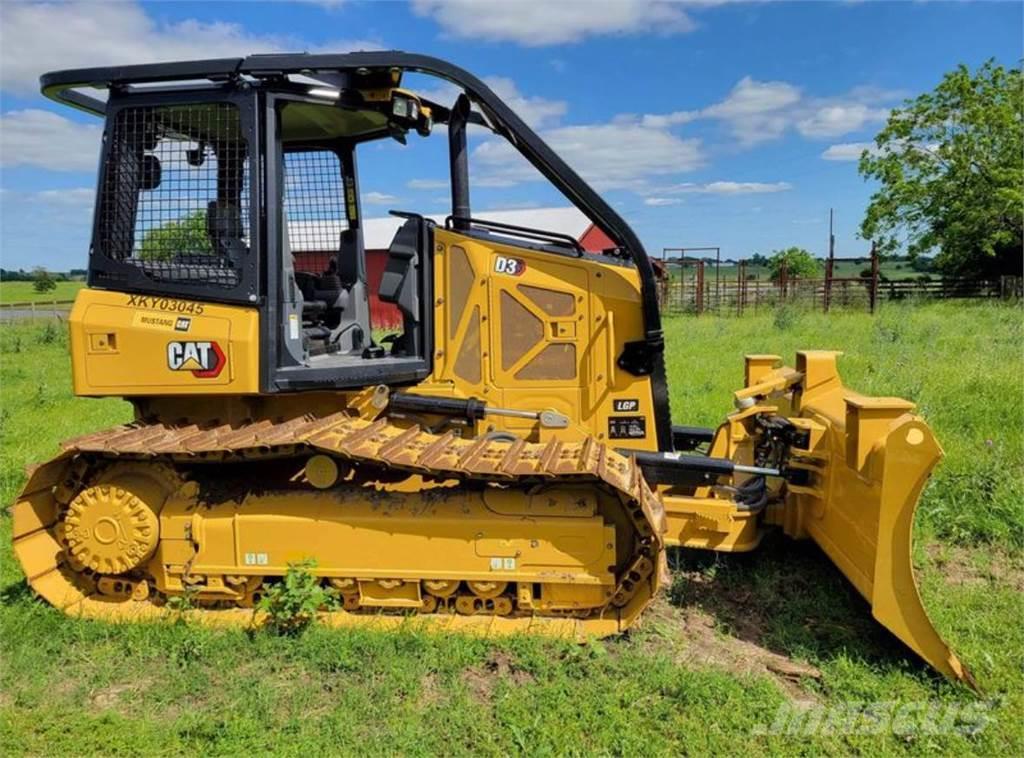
[{"x": 127, "y": 345}]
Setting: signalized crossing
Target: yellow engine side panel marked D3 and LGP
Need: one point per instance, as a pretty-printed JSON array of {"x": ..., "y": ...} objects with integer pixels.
[{"x": 529, "y": 330}]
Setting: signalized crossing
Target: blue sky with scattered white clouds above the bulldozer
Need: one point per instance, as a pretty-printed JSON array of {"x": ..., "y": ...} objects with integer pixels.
[{"x": 704, "y": 122}]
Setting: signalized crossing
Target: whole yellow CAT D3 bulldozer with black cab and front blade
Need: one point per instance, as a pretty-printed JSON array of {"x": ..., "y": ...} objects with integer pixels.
[{"x": 502, "y": 459}]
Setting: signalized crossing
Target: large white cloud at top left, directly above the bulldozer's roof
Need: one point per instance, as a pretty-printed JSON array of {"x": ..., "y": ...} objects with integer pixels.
[{"x": 45, "y": 37}]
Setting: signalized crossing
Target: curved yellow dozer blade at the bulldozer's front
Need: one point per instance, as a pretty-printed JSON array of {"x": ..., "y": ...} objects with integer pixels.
[{"x": 869, "y": 460}]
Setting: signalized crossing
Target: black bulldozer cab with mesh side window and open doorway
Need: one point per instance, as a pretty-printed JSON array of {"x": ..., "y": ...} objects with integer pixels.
[{"x": 205, "y": 195}]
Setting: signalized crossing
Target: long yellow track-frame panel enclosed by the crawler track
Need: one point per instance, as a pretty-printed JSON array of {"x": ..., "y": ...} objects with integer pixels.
[{"x": 490, "y": 536}]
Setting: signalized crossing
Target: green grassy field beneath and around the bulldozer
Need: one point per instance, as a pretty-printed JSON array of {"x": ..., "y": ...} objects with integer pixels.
[{"x": 735, "y": 640}]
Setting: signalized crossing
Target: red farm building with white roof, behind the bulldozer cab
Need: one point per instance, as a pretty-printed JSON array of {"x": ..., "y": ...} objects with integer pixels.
[{"x": 313, "y": 243}]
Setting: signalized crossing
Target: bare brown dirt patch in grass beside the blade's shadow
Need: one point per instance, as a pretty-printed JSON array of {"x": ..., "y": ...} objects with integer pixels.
[{"x": 696, "y": 641}]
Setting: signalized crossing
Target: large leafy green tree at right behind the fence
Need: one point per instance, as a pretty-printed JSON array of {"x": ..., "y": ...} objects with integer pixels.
[{"x": 952, "y": 167}]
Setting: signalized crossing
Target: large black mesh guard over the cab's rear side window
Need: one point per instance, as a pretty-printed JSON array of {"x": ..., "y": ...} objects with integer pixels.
[{"x": 176, "y": 194}]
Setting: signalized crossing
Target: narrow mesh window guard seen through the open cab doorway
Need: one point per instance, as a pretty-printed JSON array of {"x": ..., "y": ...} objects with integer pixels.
[{"x": 315, "y": 209}]
